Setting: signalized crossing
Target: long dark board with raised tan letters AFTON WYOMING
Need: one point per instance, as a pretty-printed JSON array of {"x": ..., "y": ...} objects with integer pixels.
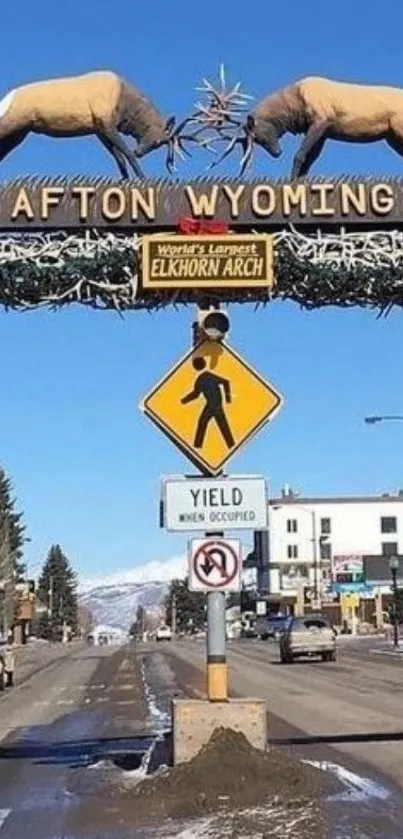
[{"x": 158, "y": 205}]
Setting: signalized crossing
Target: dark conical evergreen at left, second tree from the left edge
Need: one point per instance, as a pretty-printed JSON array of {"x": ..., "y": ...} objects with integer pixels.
[{"x": 57, "y": 589}]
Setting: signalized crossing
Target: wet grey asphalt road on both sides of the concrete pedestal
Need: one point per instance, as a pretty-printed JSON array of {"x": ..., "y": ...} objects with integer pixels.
[{"x": 70, "y": 729}]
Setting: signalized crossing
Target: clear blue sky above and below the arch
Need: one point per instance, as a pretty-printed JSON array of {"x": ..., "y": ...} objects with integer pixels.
[{"x": 85, "y": 462}]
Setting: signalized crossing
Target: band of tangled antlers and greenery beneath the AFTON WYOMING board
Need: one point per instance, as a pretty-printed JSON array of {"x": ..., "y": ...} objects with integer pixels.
[{"x": 109, "y": 278}]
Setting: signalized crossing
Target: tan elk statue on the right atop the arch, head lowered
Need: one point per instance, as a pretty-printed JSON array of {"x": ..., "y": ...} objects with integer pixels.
[{"x": 320, "y": 109}]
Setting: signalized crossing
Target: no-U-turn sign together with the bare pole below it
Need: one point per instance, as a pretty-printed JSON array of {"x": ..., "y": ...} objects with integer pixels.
[{"x": 215, "y": 567}]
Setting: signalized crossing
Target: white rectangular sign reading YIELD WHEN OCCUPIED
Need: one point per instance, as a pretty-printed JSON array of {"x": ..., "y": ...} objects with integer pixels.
[{"x": 234, "y": 503}]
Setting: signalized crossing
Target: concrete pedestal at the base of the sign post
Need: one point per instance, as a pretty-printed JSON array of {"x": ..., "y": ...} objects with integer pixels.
[{"x": 194, "y": 720}]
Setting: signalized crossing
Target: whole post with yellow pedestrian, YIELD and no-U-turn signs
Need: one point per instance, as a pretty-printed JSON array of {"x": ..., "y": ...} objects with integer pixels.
[{"x": 209, "y": 405}]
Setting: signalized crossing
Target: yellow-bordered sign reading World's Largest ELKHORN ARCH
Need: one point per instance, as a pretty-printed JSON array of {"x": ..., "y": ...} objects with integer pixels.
[{"x": 221, "y": 261}]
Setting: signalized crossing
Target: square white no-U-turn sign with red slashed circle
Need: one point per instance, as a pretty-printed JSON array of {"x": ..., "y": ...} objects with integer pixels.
[{"x": 215, "y": 565}]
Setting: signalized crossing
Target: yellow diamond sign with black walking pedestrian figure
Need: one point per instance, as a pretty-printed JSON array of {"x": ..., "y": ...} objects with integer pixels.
[{"x": 210, "y": 404}]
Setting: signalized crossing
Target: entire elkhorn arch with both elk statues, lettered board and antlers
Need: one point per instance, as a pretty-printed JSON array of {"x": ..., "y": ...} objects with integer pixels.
[{"x": 142, "y": 243}]
